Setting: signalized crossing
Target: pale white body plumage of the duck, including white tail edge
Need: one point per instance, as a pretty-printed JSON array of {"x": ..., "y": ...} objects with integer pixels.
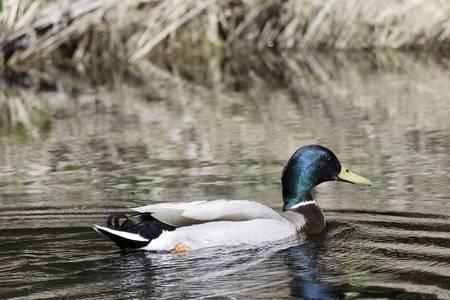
[{"x": 204, "y": 224}]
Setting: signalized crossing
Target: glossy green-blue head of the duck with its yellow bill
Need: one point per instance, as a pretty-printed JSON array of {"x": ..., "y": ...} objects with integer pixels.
[{"x": 309, "y": 166}]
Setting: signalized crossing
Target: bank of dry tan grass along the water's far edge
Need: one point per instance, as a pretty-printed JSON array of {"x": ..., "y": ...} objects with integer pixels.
[{"x": 88, "y": 33}]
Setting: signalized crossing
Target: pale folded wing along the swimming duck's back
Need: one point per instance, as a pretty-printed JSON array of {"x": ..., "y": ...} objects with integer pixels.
[{"x": 189, "y": 213}]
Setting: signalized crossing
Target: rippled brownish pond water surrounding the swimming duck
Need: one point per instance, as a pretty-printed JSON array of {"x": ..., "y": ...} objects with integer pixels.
[{"x": 74, "y": 152}]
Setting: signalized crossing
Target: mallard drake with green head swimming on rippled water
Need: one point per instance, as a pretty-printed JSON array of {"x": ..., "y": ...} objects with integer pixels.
[{"x": 180, "y": 227}]
